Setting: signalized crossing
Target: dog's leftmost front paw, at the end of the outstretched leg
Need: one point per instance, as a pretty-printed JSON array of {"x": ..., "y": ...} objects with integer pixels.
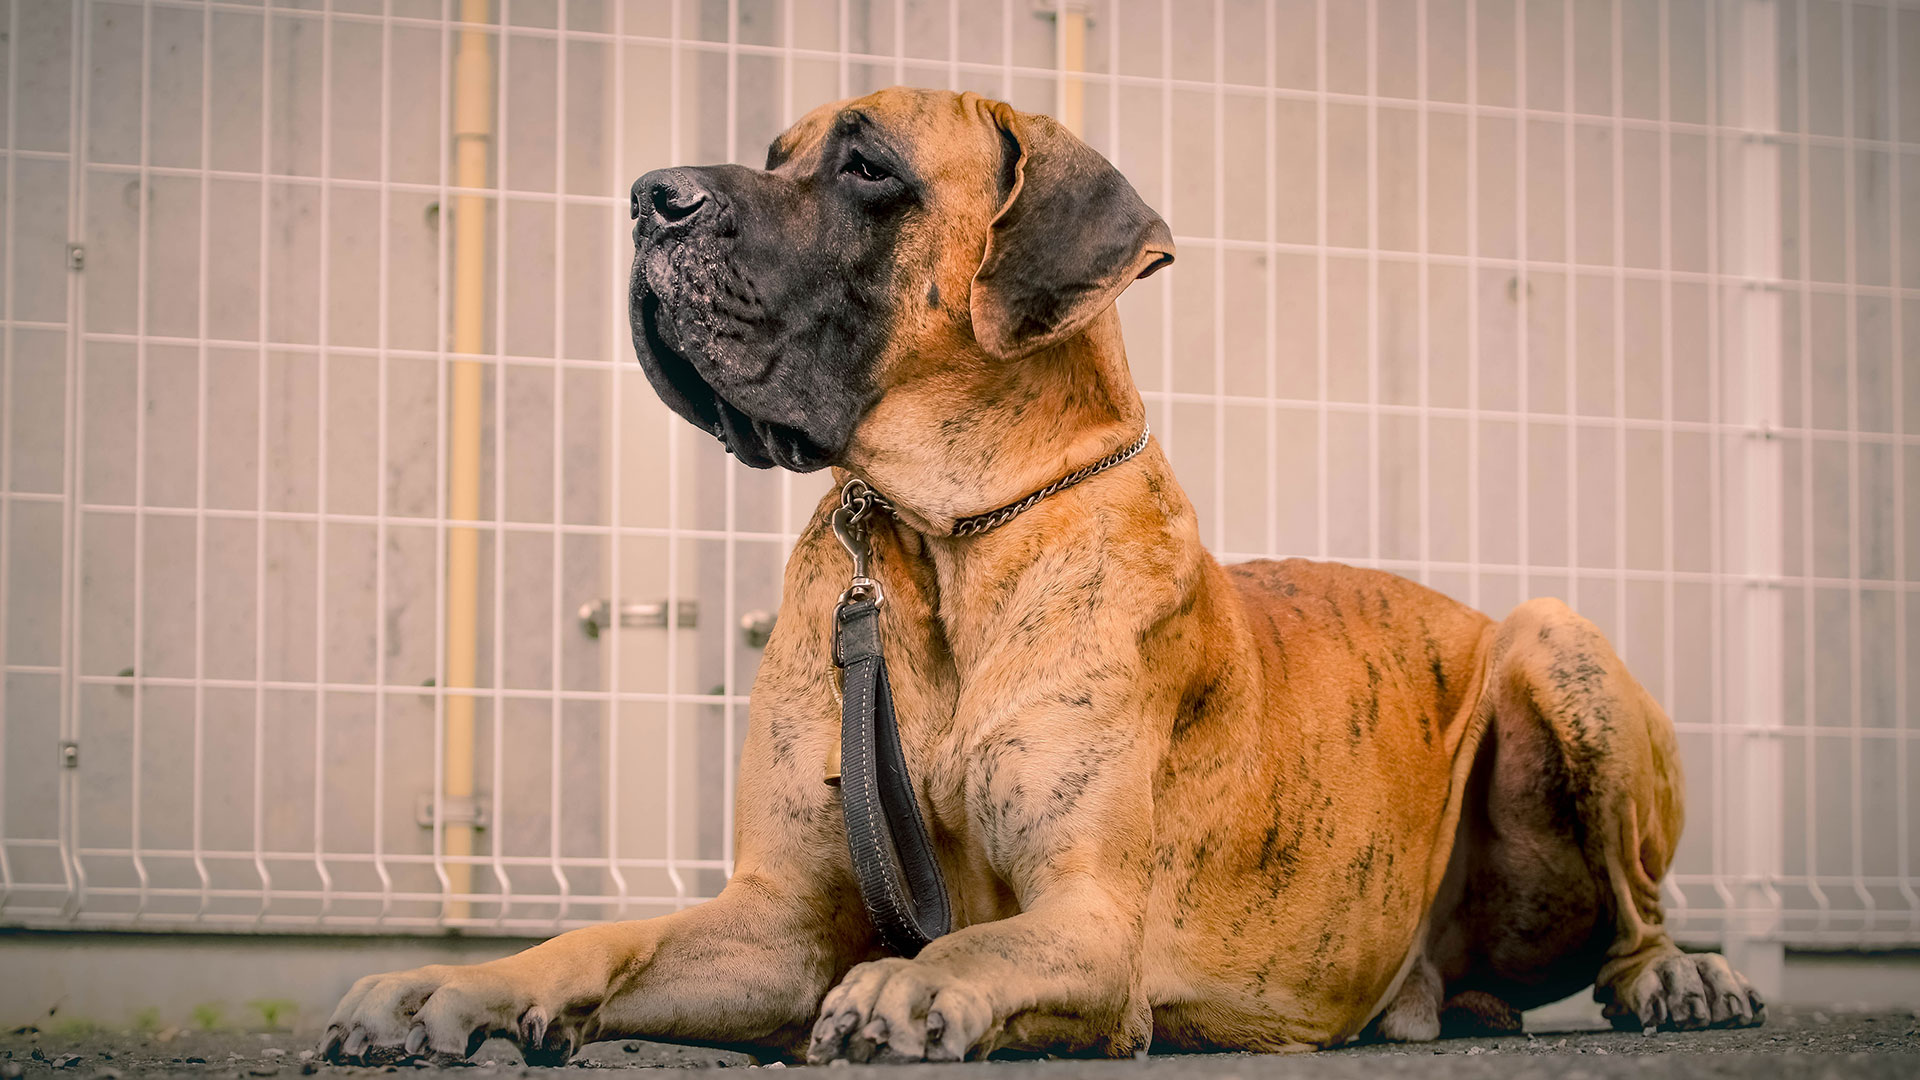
[{"x": 448, "y": 1012}]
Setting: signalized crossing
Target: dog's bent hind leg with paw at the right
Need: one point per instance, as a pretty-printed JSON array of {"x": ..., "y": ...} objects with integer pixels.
[{"x": 1570, "y": 829}]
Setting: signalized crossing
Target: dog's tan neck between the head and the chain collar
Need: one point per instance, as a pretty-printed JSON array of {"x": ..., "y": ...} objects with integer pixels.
[{"x": 972, "y": 437}]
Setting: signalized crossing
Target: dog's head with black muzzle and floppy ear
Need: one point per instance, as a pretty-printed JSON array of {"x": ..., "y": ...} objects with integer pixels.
[{"x": 884, "y": 239}]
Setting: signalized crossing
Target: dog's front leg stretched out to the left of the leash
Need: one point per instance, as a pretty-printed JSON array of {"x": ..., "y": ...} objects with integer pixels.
[{"x": 746, "y": 968}]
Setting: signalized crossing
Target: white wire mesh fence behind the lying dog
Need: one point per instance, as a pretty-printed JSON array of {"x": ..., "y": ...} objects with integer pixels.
[{"x": 1598, "y": 299}]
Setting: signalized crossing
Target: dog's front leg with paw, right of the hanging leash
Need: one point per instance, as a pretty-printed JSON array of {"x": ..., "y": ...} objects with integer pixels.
[{"x": 1059, "y": 793}]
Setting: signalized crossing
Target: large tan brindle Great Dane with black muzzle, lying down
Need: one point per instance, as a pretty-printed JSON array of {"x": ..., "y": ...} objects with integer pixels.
[{"x": 1184, "y": 806}]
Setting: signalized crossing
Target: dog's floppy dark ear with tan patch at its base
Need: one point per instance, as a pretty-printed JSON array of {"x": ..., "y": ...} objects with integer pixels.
[{"x": 1072, "y": 233}]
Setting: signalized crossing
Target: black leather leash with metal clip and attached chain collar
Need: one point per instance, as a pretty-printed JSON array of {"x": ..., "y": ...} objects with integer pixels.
[{"x": 894, "y": 856}]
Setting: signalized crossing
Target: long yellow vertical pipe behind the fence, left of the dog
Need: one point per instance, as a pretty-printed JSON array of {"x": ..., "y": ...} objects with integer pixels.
[{"x": 473, "y": 137}]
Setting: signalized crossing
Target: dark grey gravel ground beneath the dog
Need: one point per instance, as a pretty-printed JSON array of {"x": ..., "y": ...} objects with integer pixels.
[{"x": 1796, "y": 1043}]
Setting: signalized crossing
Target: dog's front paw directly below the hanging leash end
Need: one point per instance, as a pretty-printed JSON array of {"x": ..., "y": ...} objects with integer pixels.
[{"x": 900, "y": 1010}]
